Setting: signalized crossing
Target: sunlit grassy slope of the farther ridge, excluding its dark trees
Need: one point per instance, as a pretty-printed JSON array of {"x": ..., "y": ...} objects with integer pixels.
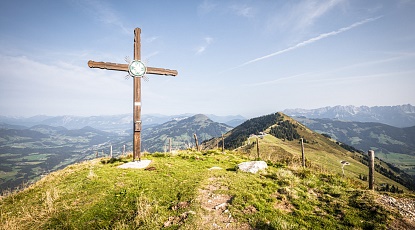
[{"x": 319, "y": 152}]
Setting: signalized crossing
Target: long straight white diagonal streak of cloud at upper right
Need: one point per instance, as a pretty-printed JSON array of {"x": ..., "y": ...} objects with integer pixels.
[{"x": 309, "y": 41}]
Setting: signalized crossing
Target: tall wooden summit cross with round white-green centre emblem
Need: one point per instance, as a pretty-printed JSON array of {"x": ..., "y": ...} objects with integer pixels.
[{"x": 137, "y": 70}]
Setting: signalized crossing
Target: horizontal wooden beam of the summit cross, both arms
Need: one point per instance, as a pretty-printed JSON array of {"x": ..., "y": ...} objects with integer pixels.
[{"x": 124, "y": 67}]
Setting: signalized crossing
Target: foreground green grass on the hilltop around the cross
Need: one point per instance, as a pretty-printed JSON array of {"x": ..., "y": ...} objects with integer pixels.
[{"x": 98, "y": 195}]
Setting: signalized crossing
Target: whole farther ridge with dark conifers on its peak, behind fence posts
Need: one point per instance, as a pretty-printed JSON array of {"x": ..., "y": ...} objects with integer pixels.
[{"x": 282, "y": 144}]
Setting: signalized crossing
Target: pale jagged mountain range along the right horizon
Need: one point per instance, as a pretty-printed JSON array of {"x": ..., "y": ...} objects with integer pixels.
[{"x": 398, "y": 116}]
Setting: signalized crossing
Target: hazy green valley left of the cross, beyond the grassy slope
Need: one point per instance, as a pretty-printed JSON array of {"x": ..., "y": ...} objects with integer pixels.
[{"x": 28, "y": 154}]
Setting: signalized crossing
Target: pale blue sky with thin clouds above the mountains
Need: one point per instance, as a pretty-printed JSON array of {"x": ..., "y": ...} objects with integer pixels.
[{"x": 233, "y": 57}]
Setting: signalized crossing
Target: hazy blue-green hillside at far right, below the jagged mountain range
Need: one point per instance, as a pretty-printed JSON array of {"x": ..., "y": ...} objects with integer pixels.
[{"x": 391, "y": 144}]
